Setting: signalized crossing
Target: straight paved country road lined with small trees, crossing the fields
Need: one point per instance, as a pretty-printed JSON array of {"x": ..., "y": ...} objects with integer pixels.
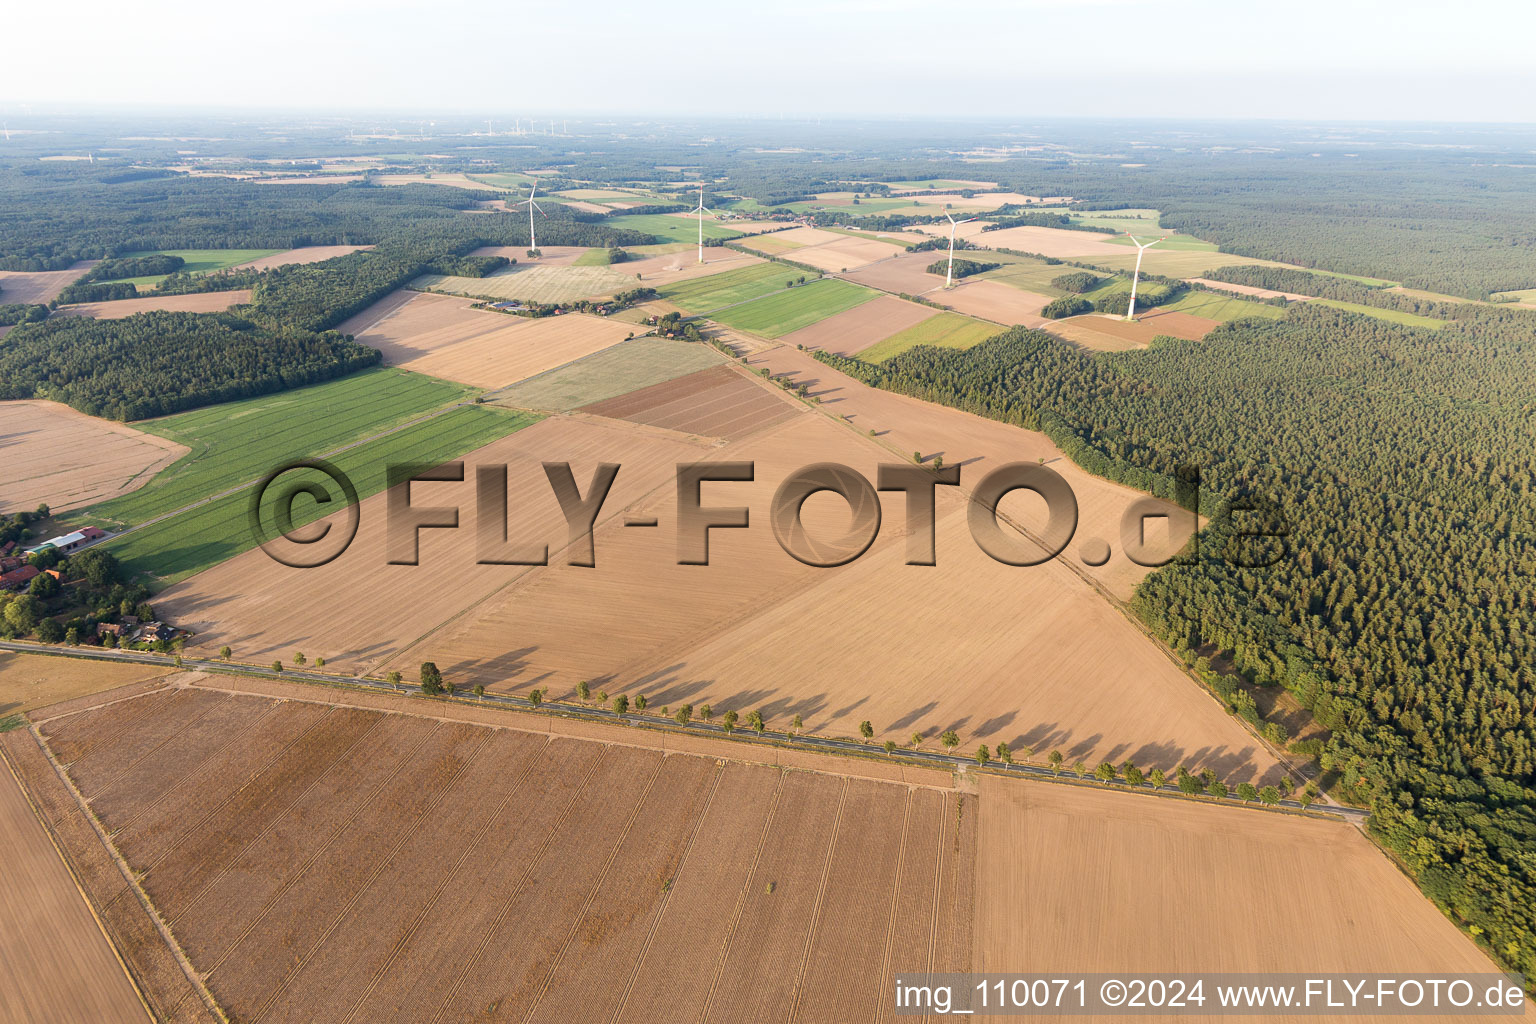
[{"x": 830, "y": 745}]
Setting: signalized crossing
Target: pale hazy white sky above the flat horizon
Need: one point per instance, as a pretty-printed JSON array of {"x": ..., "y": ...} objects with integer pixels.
[{"x": 1302, "y": 59}]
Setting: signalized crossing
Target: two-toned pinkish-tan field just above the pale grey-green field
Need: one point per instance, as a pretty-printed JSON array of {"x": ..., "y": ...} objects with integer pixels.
[{"x": 442, "y": 335}]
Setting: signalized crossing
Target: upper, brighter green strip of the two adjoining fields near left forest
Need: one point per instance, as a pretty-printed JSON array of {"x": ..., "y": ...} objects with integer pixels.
[{"x": 239, "y": 443}]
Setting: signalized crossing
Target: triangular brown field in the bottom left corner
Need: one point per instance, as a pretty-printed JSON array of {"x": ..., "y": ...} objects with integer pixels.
[{"x": 58, "y": 965}]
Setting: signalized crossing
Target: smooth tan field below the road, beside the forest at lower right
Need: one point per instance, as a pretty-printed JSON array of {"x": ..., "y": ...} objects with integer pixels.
[{"x": 1079, "y": 880}]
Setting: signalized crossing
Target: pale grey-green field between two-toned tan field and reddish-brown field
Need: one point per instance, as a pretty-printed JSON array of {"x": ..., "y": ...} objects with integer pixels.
[{"x": 617, "y": 371}]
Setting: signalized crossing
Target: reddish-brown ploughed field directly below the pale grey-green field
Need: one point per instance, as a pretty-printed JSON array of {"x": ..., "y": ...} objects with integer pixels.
[{"x": 715, "y": 403}]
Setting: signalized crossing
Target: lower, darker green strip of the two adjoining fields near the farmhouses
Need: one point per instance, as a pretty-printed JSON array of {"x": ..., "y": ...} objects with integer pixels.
[{"x": 176, "y": 549}]
